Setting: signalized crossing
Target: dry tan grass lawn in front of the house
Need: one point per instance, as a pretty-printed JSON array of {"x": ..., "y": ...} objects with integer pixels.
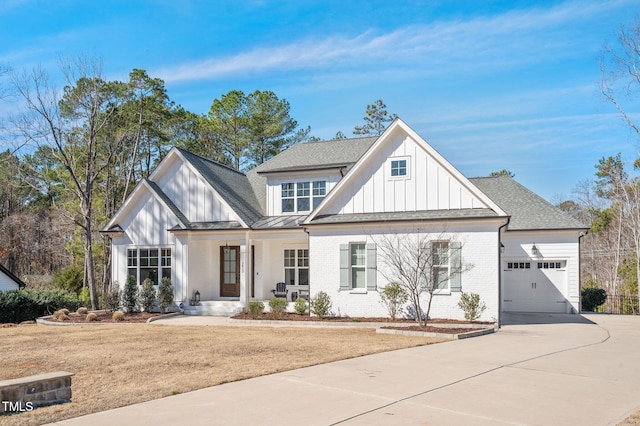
[{"x": 120, "y": 365}]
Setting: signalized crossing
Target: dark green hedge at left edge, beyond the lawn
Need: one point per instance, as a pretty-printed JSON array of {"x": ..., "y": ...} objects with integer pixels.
[{"x": 26, "y": 305}]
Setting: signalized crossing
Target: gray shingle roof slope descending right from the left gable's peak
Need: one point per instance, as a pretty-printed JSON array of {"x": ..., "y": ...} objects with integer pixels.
[{"x": 233, "y": 186}]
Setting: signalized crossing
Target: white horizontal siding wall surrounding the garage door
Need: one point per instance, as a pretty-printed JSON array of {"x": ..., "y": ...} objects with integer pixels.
[{"x": 552, "y": 246}]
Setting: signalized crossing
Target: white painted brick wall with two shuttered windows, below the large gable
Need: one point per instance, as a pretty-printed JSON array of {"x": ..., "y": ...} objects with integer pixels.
[{"x": 480, "y": 249}]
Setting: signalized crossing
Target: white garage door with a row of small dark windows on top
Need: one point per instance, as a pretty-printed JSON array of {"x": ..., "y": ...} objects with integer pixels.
[{"x": 534, "y": 287}]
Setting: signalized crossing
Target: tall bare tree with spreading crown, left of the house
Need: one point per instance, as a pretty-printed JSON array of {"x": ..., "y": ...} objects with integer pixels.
[{"x": 72, "y": 122}]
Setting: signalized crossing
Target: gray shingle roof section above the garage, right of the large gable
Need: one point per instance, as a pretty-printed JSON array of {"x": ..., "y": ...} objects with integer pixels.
[{"x": 528, "y": 210}]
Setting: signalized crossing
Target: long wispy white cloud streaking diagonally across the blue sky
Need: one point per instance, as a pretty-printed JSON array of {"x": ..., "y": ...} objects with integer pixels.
[{"x": 515, "y": 37}]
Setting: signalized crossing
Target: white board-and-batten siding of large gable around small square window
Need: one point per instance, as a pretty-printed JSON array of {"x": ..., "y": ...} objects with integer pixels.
[{"x": 427, "y": 186}]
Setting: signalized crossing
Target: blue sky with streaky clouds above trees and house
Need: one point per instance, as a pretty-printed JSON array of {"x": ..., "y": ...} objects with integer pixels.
[{"x": 503, "y": 84}]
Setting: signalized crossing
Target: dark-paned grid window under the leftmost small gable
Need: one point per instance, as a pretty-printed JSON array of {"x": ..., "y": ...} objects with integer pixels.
[{"x": 149, "y": 262}]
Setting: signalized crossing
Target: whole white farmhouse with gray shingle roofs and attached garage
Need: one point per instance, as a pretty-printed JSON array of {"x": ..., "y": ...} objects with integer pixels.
[{"x": 313, "y": 218}]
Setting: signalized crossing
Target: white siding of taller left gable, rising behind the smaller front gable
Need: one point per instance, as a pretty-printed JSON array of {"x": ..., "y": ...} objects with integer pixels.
[{"x": 191, "y": 194}]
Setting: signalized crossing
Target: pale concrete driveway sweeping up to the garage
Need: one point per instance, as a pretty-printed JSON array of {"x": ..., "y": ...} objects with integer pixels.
[{"x": 539, "y": 369}]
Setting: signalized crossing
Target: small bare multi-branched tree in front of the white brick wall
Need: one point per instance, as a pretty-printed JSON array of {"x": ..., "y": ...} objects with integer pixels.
[{"x": 422, "y": 263}]
